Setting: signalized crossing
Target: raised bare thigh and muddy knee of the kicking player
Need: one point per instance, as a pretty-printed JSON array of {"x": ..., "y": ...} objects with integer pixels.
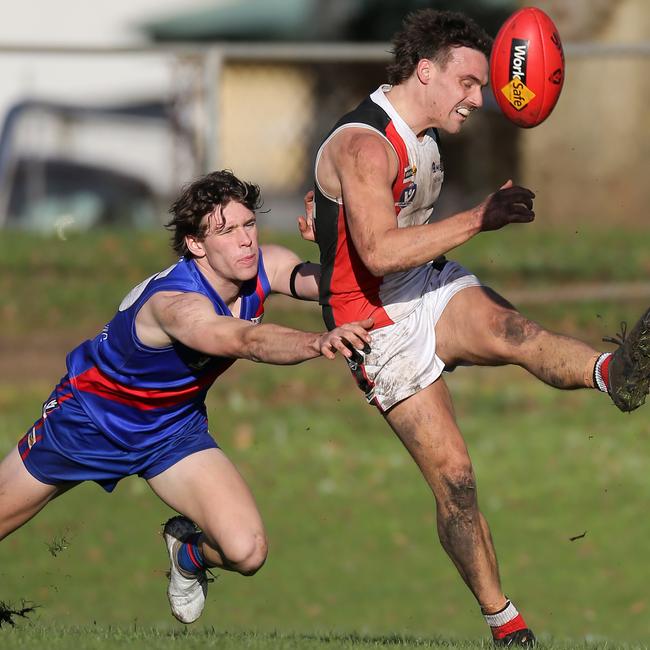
[{"x": 481, "y": 327}]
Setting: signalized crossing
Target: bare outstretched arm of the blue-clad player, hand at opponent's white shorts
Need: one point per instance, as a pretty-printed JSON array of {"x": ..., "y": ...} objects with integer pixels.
[{"x": 190, "y": 319}]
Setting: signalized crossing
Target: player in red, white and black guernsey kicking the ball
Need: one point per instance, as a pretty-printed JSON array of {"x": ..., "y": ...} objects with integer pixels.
[{"x": 377, "y": 176}]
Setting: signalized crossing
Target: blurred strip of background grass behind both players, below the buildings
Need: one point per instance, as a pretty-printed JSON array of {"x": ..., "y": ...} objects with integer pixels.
[{"x": 47, "y": 283}]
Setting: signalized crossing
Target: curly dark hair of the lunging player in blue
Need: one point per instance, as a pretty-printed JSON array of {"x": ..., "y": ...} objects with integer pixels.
[{"x": 201, "y": 198}]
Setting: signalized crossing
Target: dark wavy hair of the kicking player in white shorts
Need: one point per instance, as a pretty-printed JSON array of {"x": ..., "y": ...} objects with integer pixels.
[{"x": 431, "y": 34}]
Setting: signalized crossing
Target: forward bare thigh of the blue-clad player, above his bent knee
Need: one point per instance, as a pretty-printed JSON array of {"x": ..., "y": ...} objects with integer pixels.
[{"x": 207, "y": 487}]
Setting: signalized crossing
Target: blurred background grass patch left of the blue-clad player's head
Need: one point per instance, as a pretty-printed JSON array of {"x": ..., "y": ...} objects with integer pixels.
[{"x": 51, "y": 284}]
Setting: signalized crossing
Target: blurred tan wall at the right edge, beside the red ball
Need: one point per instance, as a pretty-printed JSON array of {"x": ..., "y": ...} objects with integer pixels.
[{"x": 589, "y": 160}]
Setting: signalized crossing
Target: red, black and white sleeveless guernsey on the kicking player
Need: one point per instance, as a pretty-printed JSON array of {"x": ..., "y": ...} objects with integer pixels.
[{"x": 348, "y": 291}]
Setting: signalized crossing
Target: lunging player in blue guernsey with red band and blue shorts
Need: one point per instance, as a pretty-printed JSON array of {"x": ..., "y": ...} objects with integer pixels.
[{"x": 133, "y": 398}]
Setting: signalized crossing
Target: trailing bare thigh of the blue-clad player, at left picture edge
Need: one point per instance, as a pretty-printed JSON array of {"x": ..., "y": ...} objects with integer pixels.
[{"x": 21, "y": 495}]
